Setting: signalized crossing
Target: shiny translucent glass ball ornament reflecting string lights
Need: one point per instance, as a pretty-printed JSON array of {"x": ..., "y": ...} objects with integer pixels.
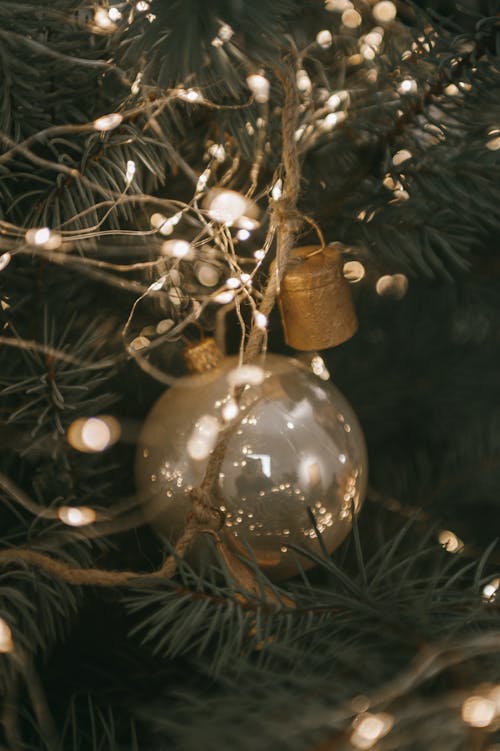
[{"x": 294, "y": 447}]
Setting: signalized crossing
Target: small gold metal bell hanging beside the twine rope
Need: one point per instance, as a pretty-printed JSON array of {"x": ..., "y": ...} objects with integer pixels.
[{"x": 315, "y": 300}]
